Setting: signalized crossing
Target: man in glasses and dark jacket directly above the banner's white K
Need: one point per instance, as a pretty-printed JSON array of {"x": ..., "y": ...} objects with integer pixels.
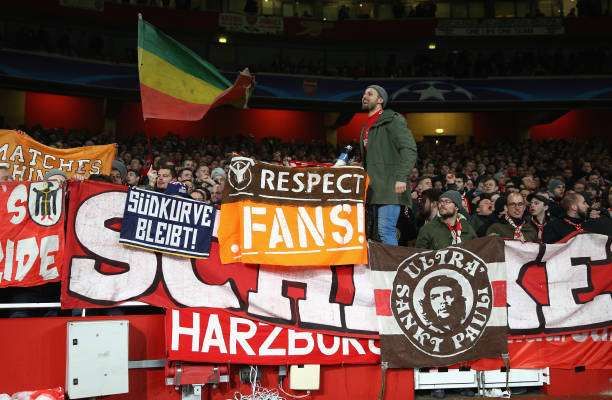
[{"x": 513, "y": 225}]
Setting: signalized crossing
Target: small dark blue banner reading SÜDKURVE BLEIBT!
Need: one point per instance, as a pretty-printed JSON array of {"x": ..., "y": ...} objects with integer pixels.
[{"x": 171, "y": 224}]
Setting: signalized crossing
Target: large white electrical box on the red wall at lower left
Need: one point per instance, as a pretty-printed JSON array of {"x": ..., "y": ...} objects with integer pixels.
[{"x": 97, "y": 358}]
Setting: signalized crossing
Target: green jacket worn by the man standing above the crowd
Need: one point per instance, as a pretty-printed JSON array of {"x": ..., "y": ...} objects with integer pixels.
[{"x": 389, "y": 157}]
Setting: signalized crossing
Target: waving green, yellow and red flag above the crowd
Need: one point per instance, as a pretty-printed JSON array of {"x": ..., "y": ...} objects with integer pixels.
[{"x": 175, "y": 83}]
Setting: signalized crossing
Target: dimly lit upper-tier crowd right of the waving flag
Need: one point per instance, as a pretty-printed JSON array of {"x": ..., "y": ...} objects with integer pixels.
[{"x": 459, "y": 64}]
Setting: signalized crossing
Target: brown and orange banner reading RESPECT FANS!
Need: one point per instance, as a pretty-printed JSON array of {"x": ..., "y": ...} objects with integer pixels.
[{"x": 293, "y": 216}]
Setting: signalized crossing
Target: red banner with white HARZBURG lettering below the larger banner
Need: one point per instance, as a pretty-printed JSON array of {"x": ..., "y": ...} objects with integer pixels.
[{"x": 204, "y": 335}]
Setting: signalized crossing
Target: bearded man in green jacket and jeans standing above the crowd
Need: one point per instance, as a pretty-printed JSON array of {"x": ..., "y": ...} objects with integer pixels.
[{"x": 389, "y": 153}]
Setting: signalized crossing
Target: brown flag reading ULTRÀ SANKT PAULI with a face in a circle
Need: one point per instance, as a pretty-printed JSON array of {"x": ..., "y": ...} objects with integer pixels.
[{"x": 437, "y": 308}]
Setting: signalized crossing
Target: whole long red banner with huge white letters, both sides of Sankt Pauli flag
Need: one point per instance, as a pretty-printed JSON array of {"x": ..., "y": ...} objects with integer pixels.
[{"x": 101, "y": 272}]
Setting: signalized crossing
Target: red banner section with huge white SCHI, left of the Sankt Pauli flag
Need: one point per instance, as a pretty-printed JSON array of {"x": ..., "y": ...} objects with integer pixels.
[{"x": 102, "y": 272}]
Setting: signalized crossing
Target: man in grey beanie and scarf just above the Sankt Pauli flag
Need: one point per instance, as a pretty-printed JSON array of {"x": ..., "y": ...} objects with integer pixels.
[{"x": 449, "y": 228}]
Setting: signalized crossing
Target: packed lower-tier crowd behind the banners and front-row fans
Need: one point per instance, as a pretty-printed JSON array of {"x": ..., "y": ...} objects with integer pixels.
[{"x": 485, "y": 175}]
